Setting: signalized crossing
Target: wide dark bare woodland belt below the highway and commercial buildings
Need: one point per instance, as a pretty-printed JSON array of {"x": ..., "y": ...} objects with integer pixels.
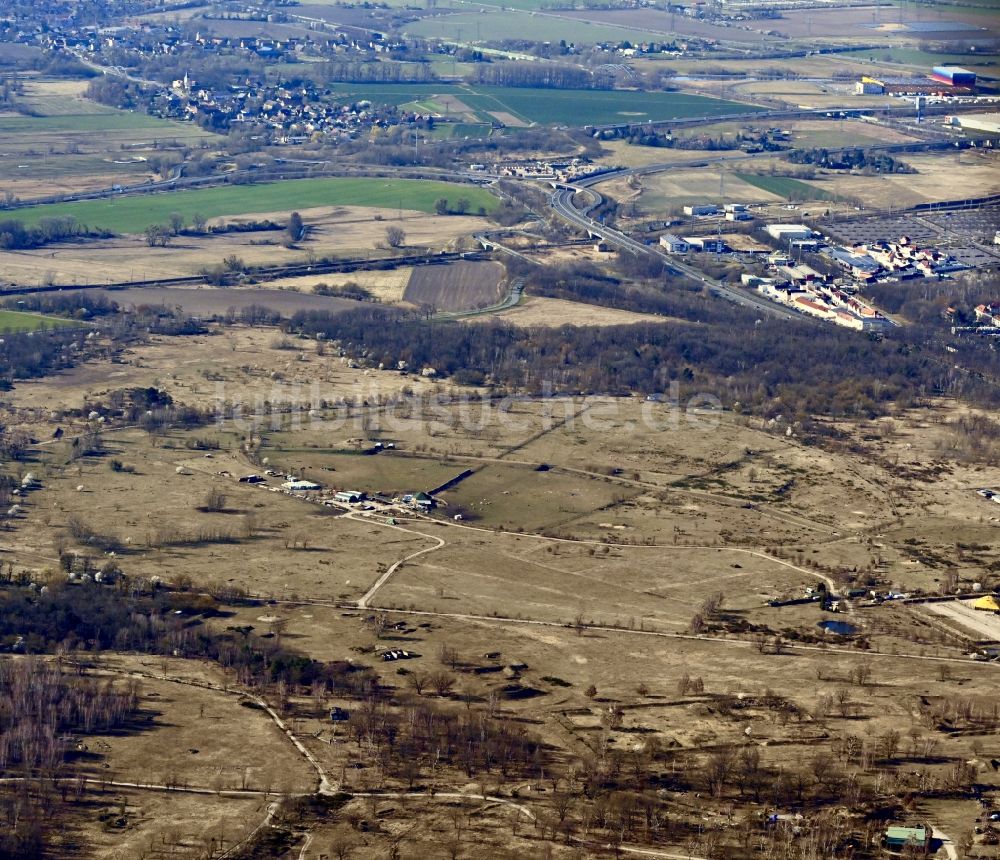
[{"x": 769, "y": 367}]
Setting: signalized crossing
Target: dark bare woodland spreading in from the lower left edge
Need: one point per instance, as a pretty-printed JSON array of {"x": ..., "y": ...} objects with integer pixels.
[{"x": 40, "y": 704}]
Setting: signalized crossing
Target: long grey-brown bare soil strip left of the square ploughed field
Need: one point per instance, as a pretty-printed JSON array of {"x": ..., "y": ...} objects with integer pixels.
[{"x": 212, "y": 301}]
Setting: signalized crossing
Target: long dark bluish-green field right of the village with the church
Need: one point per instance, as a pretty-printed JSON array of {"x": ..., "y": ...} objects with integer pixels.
[{"x": 554, "y": 107}]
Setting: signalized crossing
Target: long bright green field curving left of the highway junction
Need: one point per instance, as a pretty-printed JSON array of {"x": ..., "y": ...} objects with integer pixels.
[{"x": 135, "y": 214}]
